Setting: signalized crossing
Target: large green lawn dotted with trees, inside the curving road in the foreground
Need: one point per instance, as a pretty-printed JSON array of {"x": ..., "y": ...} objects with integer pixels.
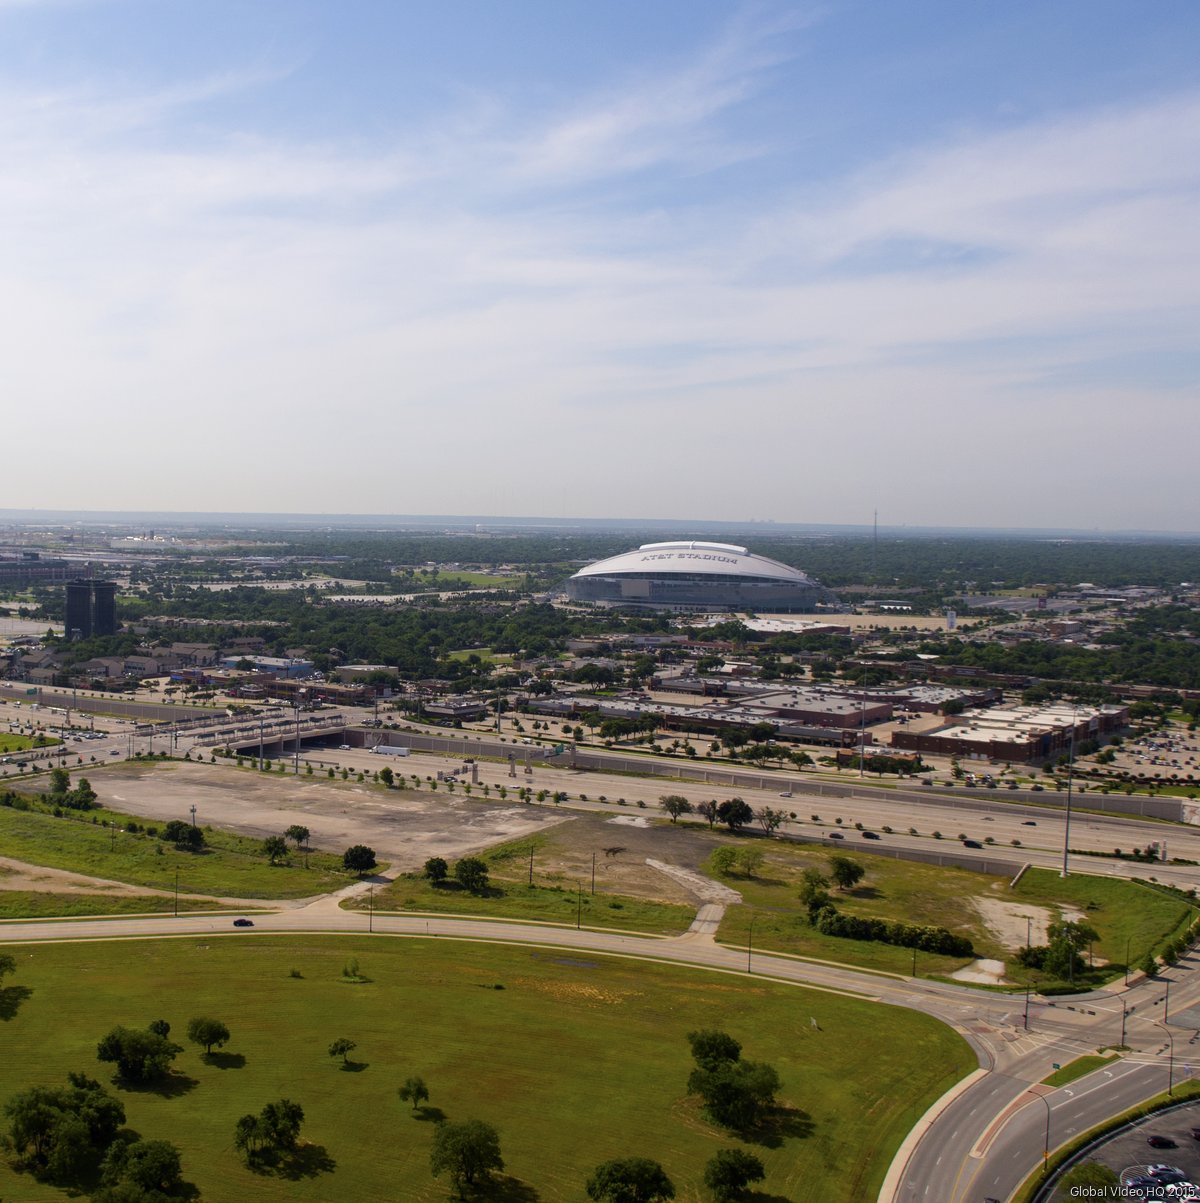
[{"x": 577, "y": 1060}]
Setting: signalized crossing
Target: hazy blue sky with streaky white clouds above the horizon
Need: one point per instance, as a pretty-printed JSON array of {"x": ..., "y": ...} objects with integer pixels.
[{"x": 684, "y": 259}]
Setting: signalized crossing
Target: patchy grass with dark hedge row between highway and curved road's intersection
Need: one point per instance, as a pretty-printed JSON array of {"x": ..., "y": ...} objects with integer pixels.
[{"x": 924, "y": 894}]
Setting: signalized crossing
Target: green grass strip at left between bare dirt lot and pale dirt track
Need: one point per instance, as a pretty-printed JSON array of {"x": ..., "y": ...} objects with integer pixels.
[{"x": 231, "y": 867}]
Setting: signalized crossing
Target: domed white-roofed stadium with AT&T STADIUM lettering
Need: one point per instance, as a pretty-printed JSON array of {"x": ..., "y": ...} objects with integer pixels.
[{"x": 696, "y": 577}]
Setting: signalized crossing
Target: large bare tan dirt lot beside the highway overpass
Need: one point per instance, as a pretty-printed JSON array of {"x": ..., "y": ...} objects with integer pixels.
[{"x": 403, "y": 828}]
